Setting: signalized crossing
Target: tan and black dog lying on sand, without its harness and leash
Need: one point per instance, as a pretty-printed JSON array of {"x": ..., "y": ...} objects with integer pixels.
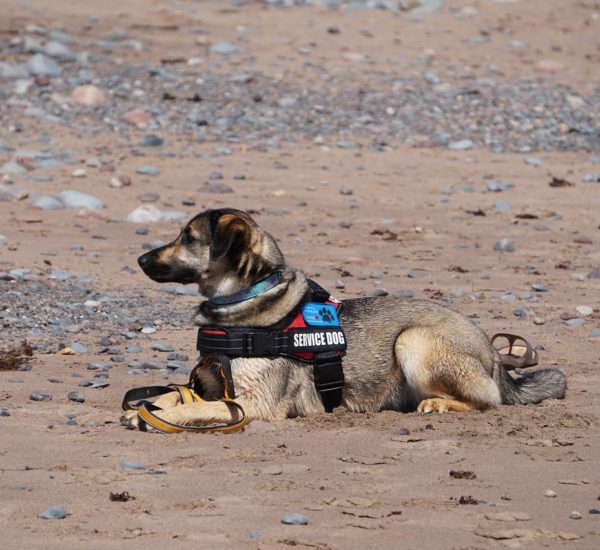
[{"x": 402, "y": 354}]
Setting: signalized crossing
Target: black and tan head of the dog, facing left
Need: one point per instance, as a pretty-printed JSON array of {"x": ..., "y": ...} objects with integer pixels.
[{"x": 220, "y": 249}]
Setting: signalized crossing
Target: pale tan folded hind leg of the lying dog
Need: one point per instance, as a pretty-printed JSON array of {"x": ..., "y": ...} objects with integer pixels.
[{"x": 442, "y": 376}]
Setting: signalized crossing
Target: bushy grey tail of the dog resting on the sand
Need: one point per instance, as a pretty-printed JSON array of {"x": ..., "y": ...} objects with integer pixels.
[{"x": 530, "y": 387}]
